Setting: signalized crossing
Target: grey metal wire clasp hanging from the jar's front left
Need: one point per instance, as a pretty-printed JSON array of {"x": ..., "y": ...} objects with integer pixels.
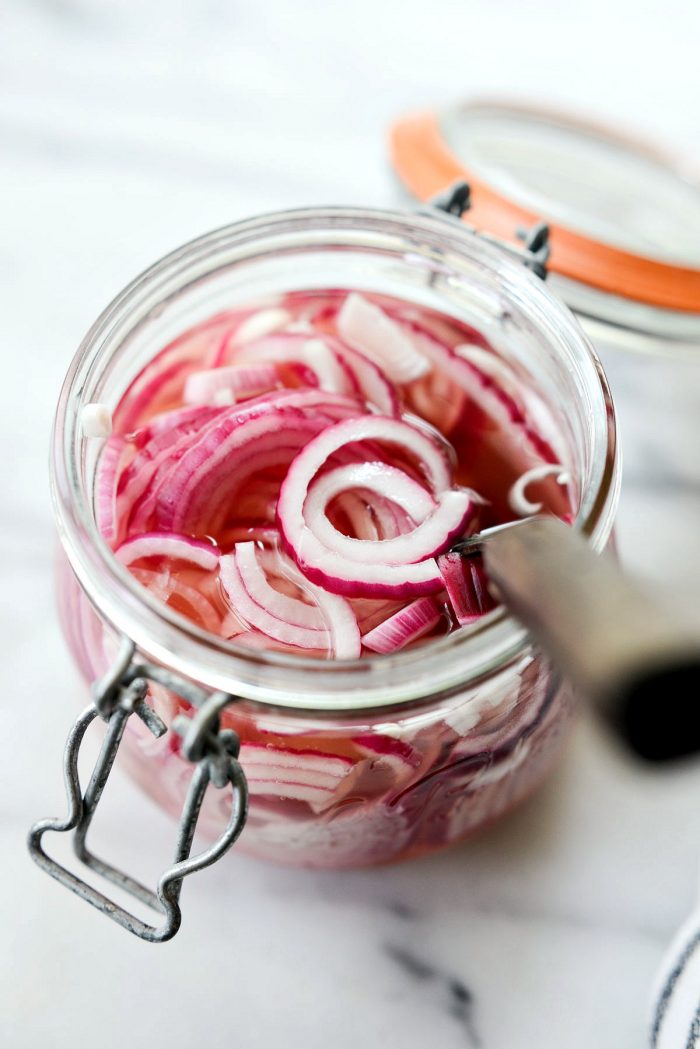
[{"x": 116, "y": 698}]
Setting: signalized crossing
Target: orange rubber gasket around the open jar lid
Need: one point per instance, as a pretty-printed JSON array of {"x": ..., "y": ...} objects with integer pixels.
[{"x": 426, "y": 164}]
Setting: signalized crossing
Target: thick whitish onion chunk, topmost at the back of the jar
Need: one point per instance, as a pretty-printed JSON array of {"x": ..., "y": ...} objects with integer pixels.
[{"x": 367, "y": 328}]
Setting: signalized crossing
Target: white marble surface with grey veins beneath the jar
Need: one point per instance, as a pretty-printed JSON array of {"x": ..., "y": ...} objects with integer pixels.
[{"x": 126, "y": 129}]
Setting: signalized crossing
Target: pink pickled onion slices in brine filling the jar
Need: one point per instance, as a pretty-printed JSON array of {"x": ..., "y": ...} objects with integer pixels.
[{"x": 293, "y": 477}]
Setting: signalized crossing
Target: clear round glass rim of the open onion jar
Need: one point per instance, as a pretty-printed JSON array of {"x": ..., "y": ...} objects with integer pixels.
[{"x": 277, "y": 679}]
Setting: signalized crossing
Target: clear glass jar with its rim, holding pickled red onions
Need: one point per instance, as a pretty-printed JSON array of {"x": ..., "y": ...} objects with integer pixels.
[{"x": 349, "y": 763}]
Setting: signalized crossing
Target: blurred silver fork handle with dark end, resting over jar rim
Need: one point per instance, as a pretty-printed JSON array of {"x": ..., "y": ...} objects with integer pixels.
[{"x": 628, "y": 650}]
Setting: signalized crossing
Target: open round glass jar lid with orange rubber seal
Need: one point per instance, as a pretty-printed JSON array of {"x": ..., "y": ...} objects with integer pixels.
[{"x": 624, "y": 219}]
